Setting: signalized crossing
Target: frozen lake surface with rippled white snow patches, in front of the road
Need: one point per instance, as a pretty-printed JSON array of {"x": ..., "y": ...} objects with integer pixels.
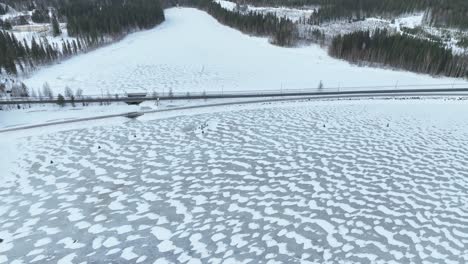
[{"x": 308, "y": 182}]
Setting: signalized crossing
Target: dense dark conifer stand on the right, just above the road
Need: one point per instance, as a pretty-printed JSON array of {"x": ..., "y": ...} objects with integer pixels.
[{"x": 400, "y": 51}]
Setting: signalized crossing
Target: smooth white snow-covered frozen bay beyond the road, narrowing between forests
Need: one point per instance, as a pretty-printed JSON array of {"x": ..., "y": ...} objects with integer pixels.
[{"x": 192, "y": 52}]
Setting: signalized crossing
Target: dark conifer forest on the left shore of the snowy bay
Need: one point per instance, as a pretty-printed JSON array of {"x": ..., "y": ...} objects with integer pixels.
[{"x": 91, "y": 22}]
